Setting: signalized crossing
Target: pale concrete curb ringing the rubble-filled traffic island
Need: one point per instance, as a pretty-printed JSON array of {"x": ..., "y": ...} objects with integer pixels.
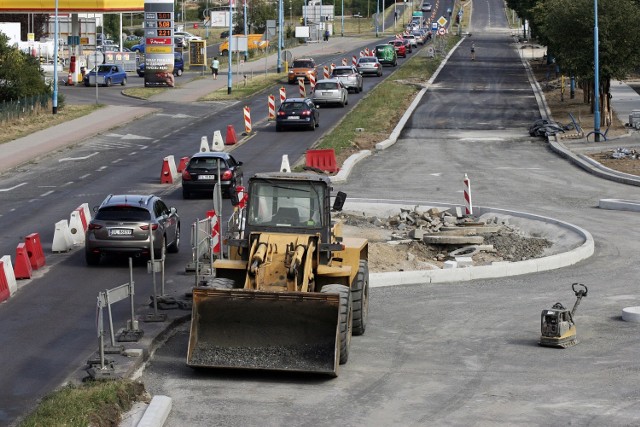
[{"x": 500, "y": 269}]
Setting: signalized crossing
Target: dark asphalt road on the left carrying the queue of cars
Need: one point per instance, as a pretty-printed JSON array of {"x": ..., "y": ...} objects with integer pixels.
[{"x": 50, "y": 321}]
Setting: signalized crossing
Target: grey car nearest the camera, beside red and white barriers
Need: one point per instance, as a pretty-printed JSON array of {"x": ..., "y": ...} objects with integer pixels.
[{"x": 121, "y": 226}]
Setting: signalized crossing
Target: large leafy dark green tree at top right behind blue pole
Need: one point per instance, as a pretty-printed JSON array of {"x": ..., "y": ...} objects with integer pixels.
[{"x": 566, "y": 27}]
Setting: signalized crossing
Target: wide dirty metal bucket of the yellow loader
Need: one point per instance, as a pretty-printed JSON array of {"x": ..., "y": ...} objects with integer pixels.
[{"x": 247, "y": 329}]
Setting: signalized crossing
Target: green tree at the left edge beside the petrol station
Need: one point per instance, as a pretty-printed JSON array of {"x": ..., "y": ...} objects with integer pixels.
[{"x": 19, "y": 73}]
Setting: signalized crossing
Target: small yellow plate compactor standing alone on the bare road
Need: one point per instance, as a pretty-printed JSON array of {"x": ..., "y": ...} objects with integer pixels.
[{"x": 558, "y": 328}]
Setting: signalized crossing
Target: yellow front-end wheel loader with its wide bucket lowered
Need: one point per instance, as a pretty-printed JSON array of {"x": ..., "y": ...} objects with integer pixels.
[{"x": 292, "y": 289}]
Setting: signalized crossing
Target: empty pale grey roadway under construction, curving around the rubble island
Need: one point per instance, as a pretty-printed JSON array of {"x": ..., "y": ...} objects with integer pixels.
[{"x": 460, "y": 353}]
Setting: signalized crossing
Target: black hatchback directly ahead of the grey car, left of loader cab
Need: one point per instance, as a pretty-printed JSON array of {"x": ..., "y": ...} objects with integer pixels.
[{"x": 200, "y": 175}]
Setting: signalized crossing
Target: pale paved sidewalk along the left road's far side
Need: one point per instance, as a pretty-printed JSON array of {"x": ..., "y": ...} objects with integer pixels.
[{"x": 38, "y": 144}]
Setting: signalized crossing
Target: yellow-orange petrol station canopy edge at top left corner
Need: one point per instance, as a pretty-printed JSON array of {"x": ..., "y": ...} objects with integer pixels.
[{"x": 71, "y": 6}]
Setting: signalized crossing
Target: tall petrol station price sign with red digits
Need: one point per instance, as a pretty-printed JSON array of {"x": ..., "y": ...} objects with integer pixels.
[{"x": 159, "y": 57}]
